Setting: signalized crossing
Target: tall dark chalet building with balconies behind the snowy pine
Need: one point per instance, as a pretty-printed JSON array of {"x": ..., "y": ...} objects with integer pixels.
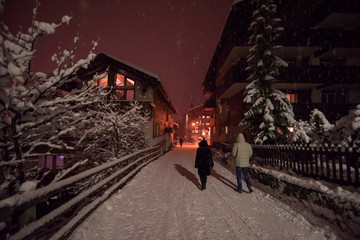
[{"x": 321, "y": 44}]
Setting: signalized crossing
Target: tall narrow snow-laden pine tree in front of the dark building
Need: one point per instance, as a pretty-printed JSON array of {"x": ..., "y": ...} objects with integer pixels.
[{"x": 270, "y": 112}]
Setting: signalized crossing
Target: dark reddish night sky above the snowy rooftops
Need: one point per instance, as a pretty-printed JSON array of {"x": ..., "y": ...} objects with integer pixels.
[{"x": 174, "y": 39}]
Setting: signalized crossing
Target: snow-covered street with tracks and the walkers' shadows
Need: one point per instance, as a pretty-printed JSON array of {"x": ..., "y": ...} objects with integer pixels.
[{"x": 164, "y": 201}]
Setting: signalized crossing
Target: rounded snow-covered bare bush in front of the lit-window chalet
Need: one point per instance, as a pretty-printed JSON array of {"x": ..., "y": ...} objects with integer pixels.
[{"x": 112, "y": 131}]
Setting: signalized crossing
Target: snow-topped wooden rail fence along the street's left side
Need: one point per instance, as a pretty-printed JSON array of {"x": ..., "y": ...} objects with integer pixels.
[{"x": 70, "y": 208}]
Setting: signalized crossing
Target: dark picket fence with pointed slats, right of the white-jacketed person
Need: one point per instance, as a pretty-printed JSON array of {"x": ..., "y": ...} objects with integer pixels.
[{"x": 336, "y": 164}]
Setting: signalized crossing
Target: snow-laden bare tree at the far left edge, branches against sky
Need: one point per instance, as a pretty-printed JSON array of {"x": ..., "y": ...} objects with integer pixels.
[{"x": 31, "y": 101}]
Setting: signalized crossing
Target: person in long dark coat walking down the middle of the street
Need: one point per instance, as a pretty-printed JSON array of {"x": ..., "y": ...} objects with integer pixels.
[{"x": 203, "y": 162}]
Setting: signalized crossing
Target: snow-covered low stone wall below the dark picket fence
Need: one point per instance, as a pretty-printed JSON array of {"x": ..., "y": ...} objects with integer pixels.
[{"x": 338, "y": 206}]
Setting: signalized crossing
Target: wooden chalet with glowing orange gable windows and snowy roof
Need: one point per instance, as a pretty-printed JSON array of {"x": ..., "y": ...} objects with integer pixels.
[{"x": 128, "y": 82}]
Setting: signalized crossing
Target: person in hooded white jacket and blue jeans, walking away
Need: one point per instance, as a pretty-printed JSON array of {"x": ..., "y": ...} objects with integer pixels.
[{"x": 242, "y": 151}]
